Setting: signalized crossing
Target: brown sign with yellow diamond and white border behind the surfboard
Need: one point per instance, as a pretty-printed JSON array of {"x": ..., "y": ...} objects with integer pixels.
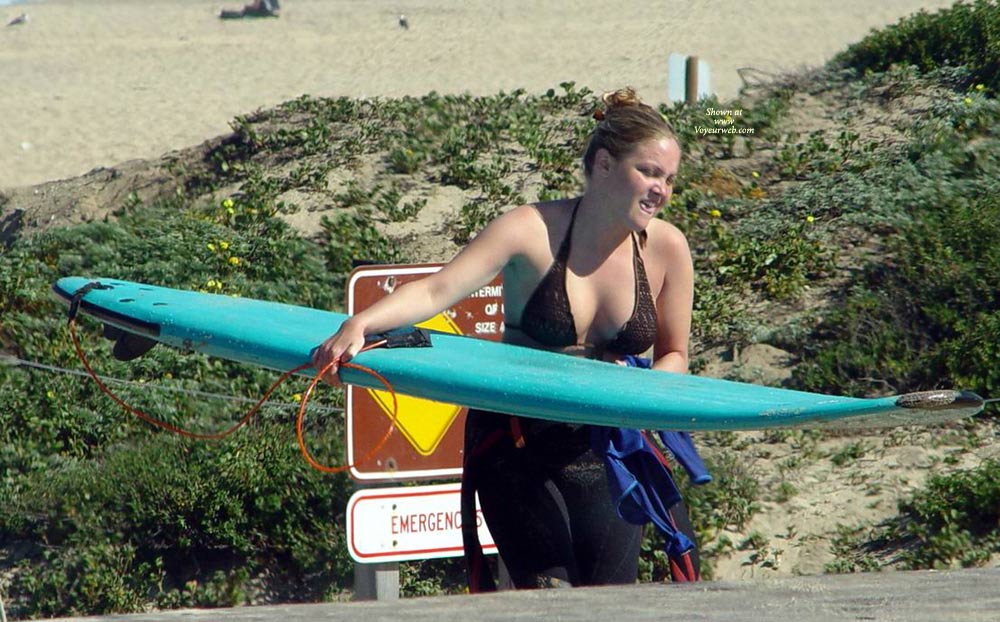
[{"x": 427, "y": 442}]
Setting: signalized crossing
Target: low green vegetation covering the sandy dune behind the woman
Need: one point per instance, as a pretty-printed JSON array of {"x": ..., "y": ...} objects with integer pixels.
[{"x": 868, "y": 251}]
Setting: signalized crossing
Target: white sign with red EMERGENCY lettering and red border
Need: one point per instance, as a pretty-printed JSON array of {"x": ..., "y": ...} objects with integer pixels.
[{"x": 417, "y": 522}]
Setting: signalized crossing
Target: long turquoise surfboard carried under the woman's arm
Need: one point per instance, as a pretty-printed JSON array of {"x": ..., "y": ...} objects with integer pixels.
[{"x": 483, "y": 374}]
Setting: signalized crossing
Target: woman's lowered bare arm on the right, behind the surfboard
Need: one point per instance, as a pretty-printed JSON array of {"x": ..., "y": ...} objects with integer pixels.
[{"x": 675, "y": 300}]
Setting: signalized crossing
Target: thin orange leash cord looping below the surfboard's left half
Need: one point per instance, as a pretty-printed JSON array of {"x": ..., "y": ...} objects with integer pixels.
[{"x": 253, "y": 410}]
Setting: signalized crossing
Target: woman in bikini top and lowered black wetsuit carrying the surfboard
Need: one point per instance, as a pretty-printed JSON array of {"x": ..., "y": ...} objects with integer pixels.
[{"x": 598, "y": 276}]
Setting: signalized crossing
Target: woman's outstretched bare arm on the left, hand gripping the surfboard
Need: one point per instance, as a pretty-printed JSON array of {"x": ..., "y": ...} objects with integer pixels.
[{"x": 476, "y": 265}]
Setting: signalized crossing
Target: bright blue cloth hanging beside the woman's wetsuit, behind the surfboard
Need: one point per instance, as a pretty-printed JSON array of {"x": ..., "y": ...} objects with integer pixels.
[{"x": 642, "y": 488}]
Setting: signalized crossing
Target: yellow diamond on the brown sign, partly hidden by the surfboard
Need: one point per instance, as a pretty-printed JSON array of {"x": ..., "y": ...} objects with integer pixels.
[{"x": 423, "y": 422}]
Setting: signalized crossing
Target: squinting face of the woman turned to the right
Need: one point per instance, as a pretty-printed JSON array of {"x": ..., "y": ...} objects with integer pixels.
[{"x": 642, "y": 181}]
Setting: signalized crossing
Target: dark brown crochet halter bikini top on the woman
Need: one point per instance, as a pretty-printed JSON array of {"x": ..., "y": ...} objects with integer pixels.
[{"x": 548, "y": 319}]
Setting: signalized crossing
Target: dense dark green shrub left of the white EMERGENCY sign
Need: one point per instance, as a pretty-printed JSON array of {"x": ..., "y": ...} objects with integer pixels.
[{"x": 150, "y": 518}]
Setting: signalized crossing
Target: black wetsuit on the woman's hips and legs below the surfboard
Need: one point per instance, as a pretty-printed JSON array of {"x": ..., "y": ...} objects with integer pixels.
[{"x": 547, "y": 504}]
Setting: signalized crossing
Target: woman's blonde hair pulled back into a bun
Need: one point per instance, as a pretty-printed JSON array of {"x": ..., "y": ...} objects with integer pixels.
[{"x": 624, "y": 123}]
